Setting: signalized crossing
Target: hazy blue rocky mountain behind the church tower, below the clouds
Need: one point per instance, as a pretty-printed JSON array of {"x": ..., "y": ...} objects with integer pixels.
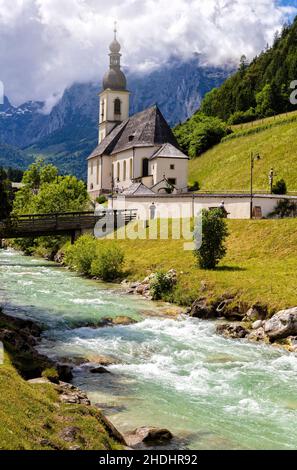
[{"x": 68, "y": 134}]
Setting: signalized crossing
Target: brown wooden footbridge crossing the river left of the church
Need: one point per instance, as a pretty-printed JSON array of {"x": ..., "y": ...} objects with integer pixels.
[{"x": 68, "y": 223}]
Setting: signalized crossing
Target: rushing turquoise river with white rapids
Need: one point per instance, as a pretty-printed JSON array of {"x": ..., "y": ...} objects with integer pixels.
[{"x": 211, "y": 392}]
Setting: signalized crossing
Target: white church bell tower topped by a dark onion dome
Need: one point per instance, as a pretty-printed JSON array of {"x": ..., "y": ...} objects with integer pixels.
[{"x": 114, "y": 98}]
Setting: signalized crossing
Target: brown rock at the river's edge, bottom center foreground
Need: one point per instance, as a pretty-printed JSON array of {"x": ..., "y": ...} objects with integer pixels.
[{"x": 149, "y": 436}]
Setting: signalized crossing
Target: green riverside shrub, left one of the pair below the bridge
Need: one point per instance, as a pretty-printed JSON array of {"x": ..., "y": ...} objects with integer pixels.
[{"x": 81, "y": 255}]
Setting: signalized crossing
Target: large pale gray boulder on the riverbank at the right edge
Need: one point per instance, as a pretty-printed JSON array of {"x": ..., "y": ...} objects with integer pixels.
[{"x": 282, "y": 324}]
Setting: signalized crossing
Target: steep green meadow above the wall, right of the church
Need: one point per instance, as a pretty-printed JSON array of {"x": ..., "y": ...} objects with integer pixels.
[{"x": 227, "y": 166}]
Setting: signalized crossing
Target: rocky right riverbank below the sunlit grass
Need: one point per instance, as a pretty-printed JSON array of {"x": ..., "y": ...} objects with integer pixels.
[{"x": 255, "y": 323}]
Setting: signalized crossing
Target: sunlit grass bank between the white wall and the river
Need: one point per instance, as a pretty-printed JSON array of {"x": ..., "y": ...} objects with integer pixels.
[{"x": 260, "y": 264}]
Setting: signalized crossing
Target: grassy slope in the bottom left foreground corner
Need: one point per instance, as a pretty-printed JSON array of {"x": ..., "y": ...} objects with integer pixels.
[{"x": 32, "y": 417}]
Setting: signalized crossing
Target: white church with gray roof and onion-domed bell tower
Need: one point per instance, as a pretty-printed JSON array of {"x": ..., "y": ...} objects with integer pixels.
[{"x": 137, "y": 154}]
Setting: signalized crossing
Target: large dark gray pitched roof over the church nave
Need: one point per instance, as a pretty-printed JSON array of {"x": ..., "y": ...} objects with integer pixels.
[{"x": 144, "y": 129}]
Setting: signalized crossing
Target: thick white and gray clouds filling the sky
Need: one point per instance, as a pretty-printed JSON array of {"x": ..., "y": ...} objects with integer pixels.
[{"x": 46, "y": 45}]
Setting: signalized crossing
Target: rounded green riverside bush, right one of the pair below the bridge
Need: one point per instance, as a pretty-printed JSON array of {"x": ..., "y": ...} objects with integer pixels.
[{"x": 108, "y": 263}]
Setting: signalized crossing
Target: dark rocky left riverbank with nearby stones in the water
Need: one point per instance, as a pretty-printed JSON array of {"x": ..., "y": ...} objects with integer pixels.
[{"x": 20, "y": 339}]
